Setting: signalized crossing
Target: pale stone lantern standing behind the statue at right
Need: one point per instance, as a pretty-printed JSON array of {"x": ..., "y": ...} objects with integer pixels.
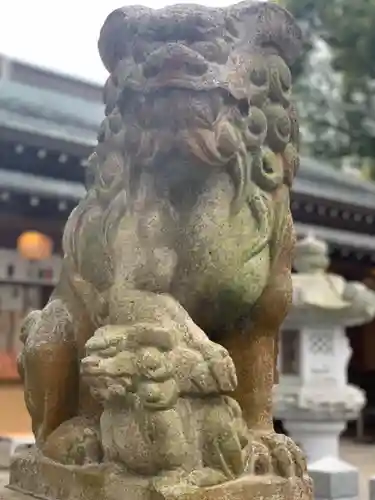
[{"x": 313, "y": 398}]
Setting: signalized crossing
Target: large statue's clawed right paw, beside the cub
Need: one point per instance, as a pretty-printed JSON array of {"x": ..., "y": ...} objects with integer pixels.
[{"x": 273, "y": 453}]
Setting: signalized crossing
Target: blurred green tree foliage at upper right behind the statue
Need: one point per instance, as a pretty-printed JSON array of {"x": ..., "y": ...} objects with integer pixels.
[{"x": 344, "y": 111}]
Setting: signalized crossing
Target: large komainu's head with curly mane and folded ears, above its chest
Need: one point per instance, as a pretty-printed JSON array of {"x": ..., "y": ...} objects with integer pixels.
[{"x": 212, "y": 84}]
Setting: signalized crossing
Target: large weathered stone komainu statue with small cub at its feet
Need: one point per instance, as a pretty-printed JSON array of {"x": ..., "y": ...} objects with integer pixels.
[{"x": 182, "y": 245}]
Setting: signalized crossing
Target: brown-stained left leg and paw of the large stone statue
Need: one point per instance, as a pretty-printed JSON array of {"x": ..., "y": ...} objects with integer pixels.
[{"x": 61, "y": 408}]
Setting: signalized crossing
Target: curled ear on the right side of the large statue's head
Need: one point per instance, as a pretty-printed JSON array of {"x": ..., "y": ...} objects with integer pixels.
[{"x": 266, "y": 25}]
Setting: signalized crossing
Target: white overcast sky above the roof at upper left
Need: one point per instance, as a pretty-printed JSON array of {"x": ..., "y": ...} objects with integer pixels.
[{"x": 62, "y": 35}]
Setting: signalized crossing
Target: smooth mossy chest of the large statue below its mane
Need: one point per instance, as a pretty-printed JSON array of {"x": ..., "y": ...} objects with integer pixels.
[{"x": 204, "y": 252}]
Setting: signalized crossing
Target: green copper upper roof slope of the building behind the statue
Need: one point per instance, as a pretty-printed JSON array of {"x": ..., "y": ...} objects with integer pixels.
[{"x": 56, "y": 115}]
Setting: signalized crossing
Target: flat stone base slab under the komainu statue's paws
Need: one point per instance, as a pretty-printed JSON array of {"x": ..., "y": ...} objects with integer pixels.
[{"x": 34, "y": 475}]
